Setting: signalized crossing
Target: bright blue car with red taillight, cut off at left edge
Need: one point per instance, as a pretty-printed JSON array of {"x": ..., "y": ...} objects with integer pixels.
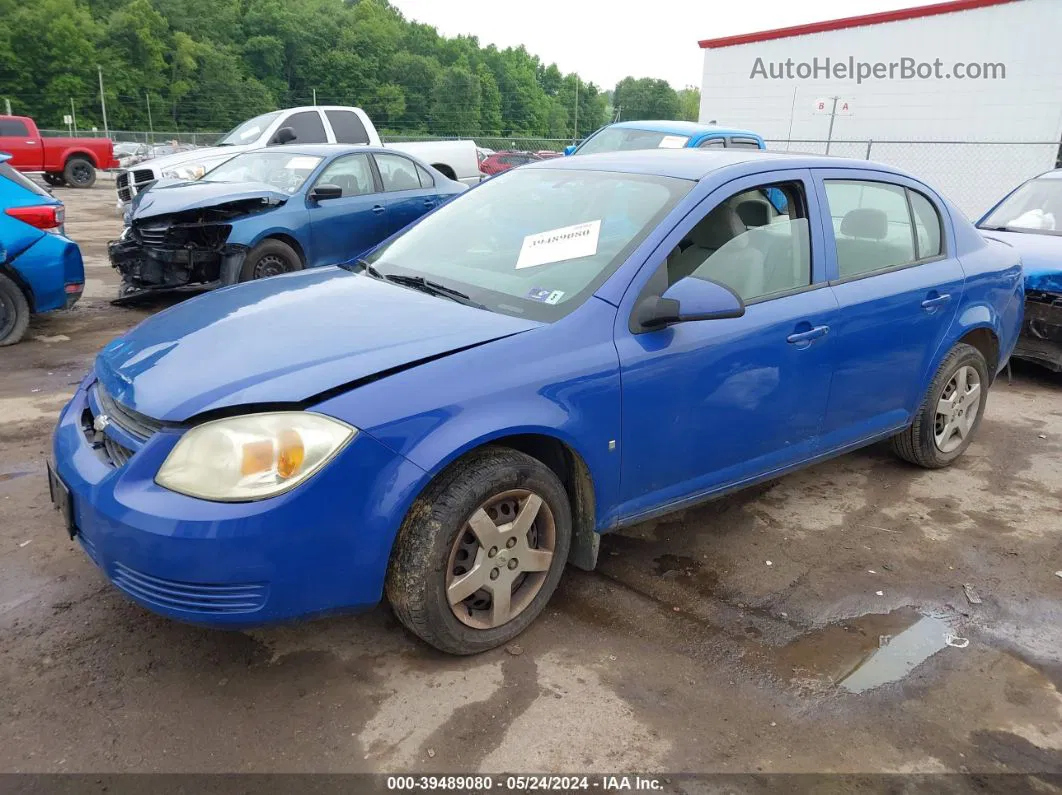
[{"x": 41, "y": 269}]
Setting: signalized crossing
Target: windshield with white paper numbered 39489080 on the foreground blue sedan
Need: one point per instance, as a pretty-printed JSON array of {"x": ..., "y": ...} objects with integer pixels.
[{"x": 534, "y": 243}]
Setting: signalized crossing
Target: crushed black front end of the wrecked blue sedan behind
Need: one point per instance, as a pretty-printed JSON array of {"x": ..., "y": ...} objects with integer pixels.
[{"x": 174, "y": 252}]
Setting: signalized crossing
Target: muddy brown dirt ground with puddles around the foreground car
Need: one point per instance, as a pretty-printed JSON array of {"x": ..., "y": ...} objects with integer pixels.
[{"x": 817, "y": 625}]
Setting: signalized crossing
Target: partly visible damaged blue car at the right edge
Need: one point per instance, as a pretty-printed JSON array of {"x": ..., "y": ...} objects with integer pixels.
[{"x": 1030, "y": 218}]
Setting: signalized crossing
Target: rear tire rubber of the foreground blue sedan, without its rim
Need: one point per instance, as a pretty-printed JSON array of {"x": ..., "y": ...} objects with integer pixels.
[{"x": 917, "y": 444}]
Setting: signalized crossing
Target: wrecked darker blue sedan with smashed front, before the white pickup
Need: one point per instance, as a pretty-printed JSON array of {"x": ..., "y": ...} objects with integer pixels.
[{"x": 271, "y": 212}]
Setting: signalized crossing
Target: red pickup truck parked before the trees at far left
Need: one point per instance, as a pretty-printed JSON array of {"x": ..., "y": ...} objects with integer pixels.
[{"x": 64, "y": 161}]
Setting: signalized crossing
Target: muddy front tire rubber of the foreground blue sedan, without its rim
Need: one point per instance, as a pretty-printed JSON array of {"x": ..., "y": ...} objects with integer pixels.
[{"x": 417, "y": 576}]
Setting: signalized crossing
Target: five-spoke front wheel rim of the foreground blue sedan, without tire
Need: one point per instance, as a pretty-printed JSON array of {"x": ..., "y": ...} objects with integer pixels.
[{"x": 501, "y": 559}]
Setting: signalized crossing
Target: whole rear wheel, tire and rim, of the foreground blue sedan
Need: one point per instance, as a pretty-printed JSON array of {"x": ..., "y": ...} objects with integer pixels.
[{"x": 951, "y": 414}]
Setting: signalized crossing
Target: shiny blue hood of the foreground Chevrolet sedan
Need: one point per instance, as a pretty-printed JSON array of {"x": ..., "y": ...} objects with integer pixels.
[{"x": 286, "y": 340}]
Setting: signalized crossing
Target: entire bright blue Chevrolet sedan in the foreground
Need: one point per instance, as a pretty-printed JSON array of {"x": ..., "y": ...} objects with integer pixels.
[{"x": 572, "y": 348}]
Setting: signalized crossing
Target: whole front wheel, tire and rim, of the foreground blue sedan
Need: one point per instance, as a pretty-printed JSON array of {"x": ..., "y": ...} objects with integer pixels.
[{"x": 481, "y": 552}]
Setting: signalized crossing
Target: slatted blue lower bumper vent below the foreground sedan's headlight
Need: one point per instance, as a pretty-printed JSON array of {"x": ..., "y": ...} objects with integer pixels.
[{"x": 191, "y": 597}]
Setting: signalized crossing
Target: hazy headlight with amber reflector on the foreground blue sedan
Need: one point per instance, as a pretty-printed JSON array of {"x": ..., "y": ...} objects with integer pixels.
[{"x": 253, "y": 457}]
